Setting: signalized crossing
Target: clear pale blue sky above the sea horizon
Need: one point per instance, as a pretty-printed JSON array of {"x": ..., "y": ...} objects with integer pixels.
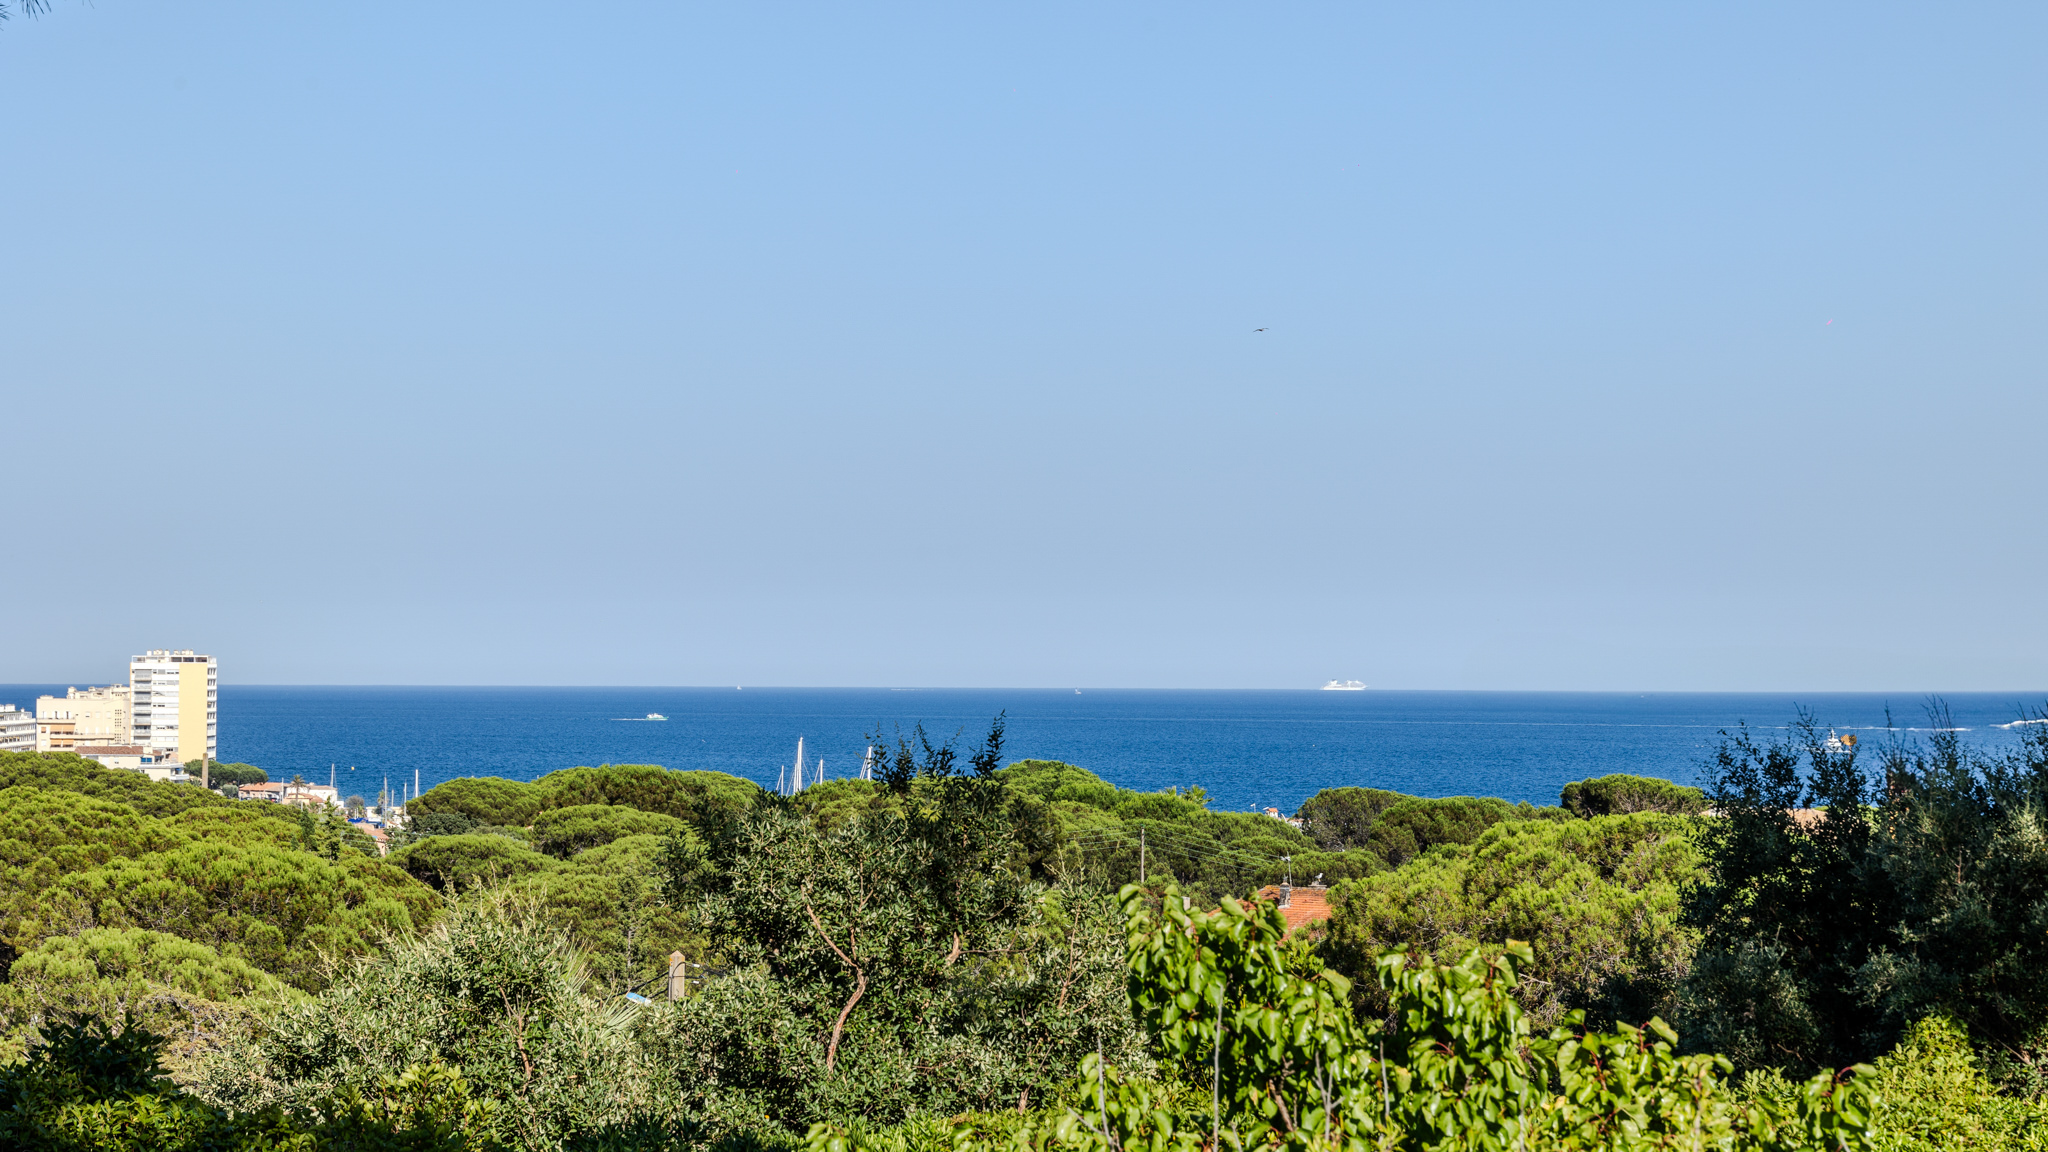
[{"x": 1605, "y": 345}]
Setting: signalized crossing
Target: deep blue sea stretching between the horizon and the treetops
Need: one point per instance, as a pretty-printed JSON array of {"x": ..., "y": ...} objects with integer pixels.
[{"x": 1248, "y": 749}]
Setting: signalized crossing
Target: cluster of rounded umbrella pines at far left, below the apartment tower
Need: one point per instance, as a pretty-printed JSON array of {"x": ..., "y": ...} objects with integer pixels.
[{"x": 194, "y": 911}]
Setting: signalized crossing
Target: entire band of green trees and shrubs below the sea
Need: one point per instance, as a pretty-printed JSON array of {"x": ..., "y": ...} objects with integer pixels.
[{"x": 867, "y": 958}]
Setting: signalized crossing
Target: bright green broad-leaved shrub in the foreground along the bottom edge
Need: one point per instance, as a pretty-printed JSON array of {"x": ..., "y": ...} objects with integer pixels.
[{"x": 1258, "y": 1051}]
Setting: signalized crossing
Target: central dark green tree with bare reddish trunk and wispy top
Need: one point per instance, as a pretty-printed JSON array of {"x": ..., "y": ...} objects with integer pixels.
[{"x": 898, "y": 958}]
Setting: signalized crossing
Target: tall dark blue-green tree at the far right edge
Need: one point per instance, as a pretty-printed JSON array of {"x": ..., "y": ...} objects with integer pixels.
[{"x": 1848, "y": 903}]
